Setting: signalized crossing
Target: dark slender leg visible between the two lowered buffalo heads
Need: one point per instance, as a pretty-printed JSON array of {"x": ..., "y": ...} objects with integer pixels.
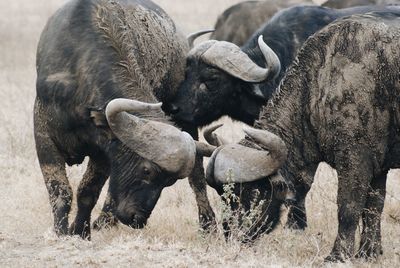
[{"x": 198, "y": 184}]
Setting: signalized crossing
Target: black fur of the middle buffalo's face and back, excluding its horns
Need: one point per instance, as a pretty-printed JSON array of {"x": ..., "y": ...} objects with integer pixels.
[{"x": 225, "y": 95}]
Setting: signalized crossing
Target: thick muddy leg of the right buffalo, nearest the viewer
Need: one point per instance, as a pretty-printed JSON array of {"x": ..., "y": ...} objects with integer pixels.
[{"x": 354, "y": 176}]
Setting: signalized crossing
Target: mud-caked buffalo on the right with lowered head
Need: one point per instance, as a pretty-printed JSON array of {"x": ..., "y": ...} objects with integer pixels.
[{"x": 338, "y": 103}]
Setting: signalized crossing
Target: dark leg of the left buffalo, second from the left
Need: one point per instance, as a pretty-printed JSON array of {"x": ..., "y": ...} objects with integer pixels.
[{"x": 89, "y": 190}]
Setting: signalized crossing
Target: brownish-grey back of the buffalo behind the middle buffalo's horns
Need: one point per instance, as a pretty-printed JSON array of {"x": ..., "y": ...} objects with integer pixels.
[{"x": 237, "y": 23}]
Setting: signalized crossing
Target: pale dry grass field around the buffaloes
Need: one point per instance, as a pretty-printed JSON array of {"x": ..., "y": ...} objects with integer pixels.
[{"x": 172, "y": 237}]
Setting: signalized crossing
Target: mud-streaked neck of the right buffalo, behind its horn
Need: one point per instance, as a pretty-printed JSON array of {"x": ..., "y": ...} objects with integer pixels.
[{"x": 286, "y": 116}]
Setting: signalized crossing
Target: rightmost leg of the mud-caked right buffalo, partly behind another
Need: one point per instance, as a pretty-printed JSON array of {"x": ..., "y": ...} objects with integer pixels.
[{"x": 370, "y": 244}]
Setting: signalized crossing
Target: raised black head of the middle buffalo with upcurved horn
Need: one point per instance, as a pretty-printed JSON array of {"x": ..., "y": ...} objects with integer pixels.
[{"x": 221, "y": 79}]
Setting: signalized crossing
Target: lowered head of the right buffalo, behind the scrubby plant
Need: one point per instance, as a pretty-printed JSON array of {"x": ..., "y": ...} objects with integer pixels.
[{"x": 253, "y": 174}]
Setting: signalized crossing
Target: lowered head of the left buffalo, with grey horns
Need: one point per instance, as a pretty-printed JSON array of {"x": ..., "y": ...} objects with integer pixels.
[{"x": 146, "y": 156}]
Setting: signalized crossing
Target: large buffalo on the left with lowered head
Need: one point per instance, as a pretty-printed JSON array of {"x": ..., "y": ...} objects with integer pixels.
[{"x": 90, "y": 54}]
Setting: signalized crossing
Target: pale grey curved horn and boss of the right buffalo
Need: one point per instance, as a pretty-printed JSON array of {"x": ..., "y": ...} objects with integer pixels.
[{"x": 238, "y": 164}]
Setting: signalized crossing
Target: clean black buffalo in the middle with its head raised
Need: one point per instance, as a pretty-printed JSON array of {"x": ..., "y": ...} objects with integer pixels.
[{"x": 223, "y": 79}]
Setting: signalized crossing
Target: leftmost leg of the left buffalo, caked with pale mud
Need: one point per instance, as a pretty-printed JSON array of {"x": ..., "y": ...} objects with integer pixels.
[{"x": 52, "y": 165}]
